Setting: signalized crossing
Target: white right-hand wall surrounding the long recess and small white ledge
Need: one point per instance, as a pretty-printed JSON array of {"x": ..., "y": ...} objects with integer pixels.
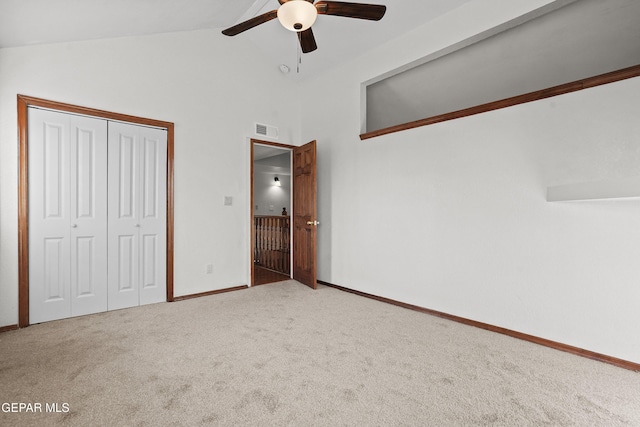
[{"x": 453, "y": 216}]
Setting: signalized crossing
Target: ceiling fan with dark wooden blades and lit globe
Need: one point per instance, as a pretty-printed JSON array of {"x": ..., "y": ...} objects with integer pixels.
[{"x": 299, "y": 16}]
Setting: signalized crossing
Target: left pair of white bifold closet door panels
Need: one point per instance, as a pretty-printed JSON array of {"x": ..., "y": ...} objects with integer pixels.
[{"x": 67, "y": 215}]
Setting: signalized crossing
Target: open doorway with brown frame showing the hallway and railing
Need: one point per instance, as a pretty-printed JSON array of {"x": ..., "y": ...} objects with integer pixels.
[{"x": 271, "y": 204}]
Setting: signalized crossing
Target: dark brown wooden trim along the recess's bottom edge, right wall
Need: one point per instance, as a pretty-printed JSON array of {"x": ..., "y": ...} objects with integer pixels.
[{"x": 614, "y": 76}]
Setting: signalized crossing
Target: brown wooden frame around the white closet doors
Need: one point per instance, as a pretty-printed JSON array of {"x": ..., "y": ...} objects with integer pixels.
[{"x": 24, "y": 102}]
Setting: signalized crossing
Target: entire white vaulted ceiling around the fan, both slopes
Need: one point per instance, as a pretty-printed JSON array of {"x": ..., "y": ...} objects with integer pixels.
[{"x": 26, "y": 22}]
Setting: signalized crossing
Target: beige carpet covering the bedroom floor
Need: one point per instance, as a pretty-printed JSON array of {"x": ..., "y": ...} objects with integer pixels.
[{"x": 282, "y": 354}]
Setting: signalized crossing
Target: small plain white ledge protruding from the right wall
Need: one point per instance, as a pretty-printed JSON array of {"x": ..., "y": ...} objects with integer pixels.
[{"x": 620, "y": 188}]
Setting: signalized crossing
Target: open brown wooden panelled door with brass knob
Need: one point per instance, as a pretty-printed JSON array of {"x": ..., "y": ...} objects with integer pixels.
[{"x": 304, "y": 214}]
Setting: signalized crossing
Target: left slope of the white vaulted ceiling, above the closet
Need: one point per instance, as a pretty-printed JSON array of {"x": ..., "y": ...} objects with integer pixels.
[{"x": 25, "y": 22}]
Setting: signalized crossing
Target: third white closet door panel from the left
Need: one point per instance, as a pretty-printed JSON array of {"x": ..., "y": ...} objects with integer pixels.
[{"x": 124, "y": 216}]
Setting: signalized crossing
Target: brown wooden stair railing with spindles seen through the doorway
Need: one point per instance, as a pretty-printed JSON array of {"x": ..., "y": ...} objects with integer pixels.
[{"x": 272, "y": 242}]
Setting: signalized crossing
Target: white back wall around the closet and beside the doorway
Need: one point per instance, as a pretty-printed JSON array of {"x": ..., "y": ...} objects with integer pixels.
[{"x": 212, "y": 87}]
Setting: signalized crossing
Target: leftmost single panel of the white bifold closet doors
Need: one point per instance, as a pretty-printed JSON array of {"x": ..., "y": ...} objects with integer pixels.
[{"x": 49, "y": 226}]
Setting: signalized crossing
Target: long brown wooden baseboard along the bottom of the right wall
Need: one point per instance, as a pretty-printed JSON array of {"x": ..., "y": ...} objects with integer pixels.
[{"x": 515, "y": 334}]
